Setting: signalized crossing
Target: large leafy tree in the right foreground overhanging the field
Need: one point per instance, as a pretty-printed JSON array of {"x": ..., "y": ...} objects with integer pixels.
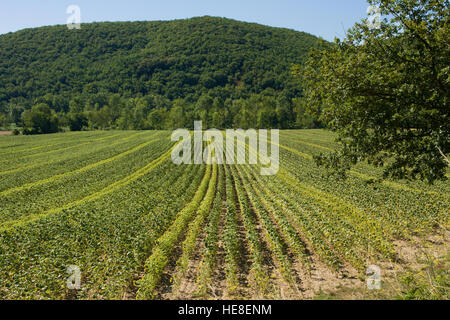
[{"x": 385, "y": 90}]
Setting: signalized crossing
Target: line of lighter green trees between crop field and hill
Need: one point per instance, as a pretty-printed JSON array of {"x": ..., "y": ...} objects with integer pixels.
[{"x": 140, "y": 113}]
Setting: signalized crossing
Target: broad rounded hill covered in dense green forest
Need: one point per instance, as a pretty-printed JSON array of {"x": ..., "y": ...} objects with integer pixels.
[{"x": 209, "y": 61}]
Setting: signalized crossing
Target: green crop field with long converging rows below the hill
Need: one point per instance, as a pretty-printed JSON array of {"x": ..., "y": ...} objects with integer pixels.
[{"x": 138, "y": 226}]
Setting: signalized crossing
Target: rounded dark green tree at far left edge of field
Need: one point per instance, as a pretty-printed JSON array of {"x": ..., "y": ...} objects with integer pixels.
[{"x": 40, "y": 119}]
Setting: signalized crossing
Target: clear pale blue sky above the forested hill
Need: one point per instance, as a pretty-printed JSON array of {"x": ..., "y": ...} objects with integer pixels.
[{"x": 325, "y": 18}]
